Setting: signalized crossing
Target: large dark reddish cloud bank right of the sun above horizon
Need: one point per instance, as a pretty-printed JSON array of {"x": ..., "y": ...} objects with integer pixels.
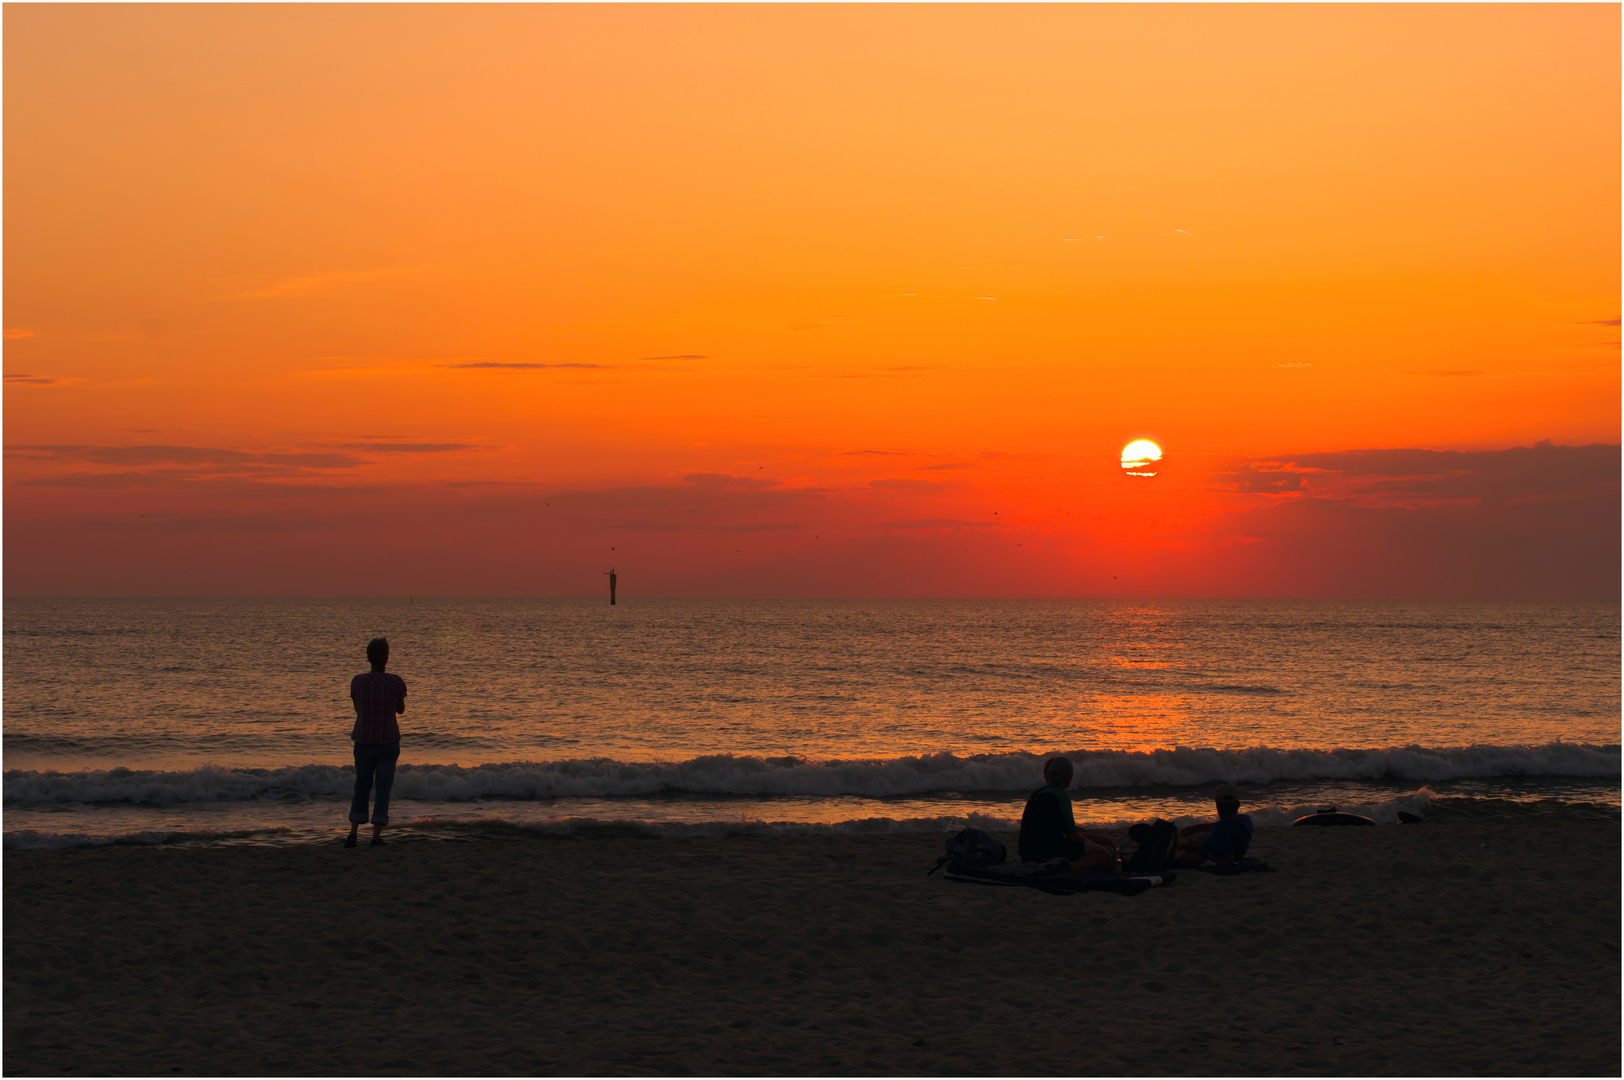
[{"x": 1529, "y": 522}]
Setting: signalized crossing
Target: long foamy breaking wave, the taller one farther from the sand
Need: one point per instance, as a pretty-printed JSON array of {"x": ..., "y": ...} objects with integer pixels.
[{"x": 738, "y": 775}]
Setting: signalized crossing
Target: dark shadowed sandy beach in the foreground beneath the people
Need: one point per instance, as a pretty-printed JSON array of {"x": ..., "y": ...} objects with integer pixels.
[{"x": 1464, "y": 946}]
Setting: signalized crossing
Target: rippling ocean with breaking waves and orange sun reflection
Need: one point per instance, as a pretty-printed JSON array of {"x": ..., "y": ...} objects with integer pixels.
[{"x": 228, "y": 720}]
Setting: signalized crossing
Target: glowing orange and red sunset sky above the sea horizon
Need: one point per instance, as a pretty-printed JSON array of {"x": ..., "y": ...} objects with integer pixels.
[{"x": 811, "y": 300}]
